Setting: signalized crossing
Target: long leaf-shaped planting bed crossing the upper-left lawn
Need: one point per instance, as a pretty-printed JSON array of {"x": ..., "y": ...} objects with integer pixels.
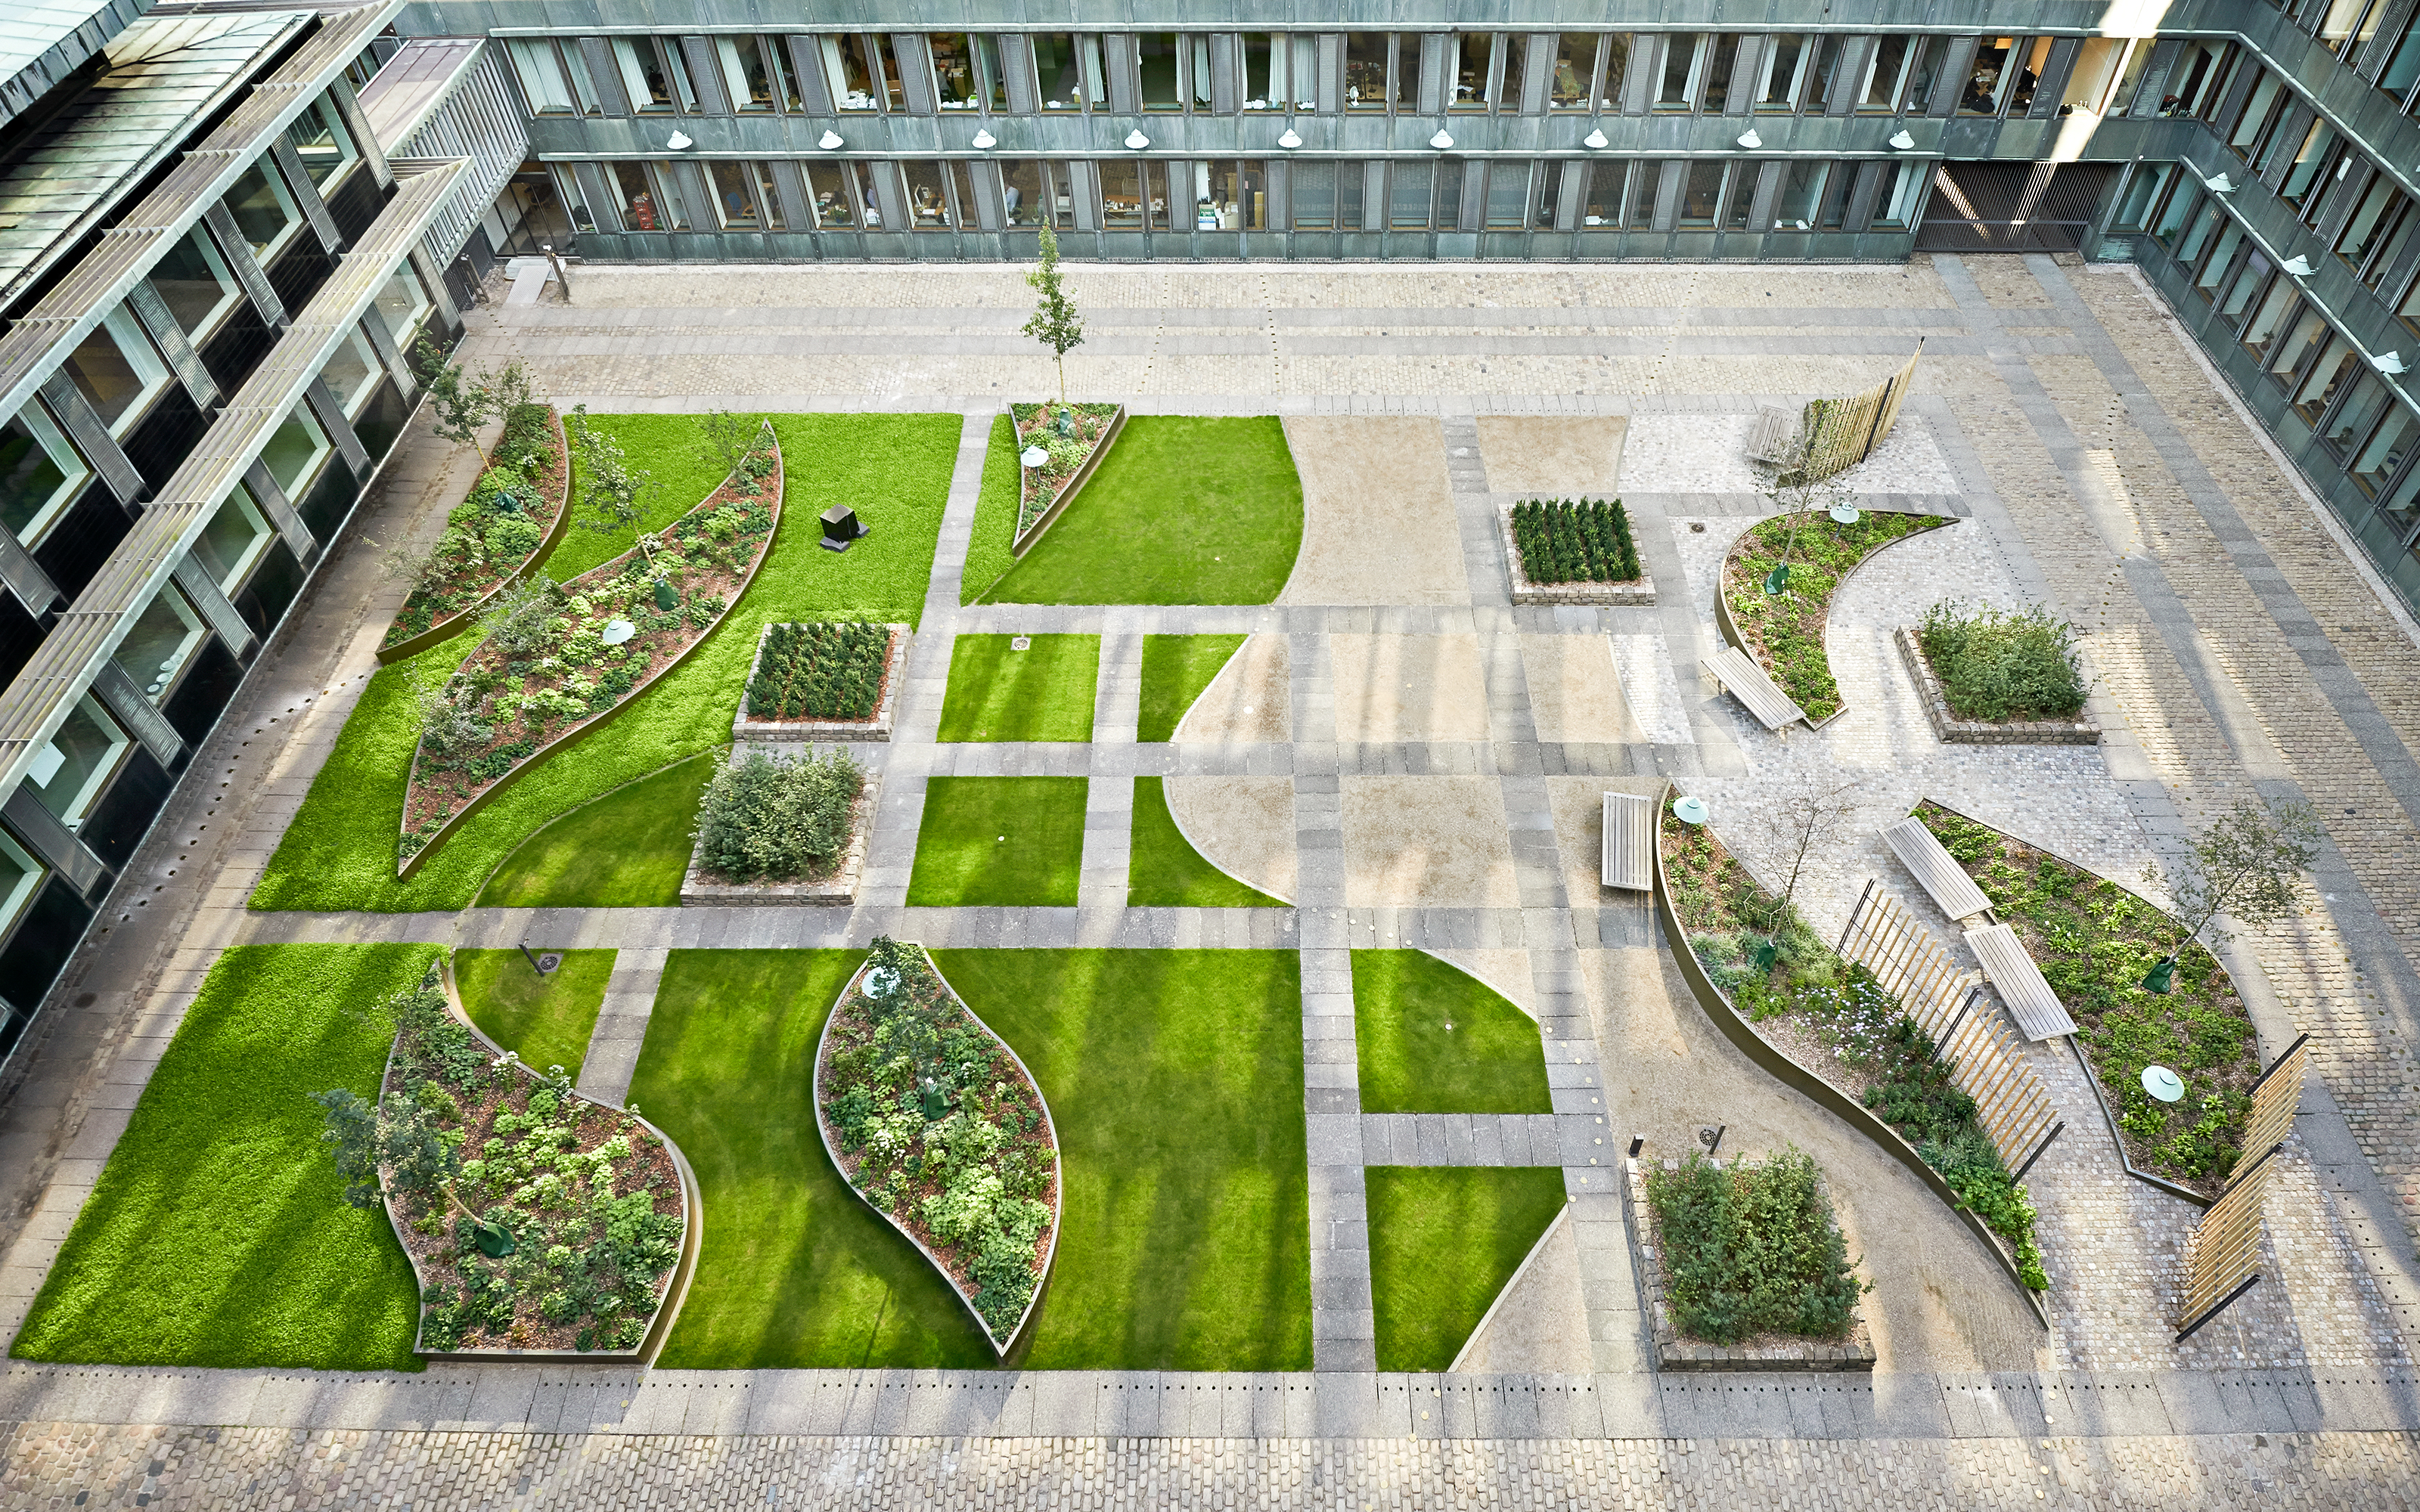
[{"x": 587, "y": 650}]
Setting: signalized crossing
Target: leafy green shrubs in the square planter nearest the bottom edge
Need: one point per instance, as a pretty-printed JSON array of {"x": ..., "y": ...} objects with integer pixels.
[{"x": 1753, "y": 1250}]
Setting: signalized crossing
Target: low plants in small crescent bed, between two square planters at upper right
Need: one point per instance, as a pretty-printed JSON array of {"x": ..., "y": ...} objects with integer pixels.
[{"x": 1785, "y": 630}]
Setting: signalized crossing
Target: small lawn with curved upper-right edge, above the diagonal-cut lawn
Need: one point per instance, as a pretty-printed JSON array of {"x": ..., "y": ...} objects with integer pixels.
[{"x": 1436, "y": 1039}]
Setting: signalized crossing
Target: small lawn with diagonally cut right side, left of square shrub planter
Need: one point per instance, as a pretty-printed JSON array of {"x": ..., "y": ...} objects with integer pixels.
[{"x": 1444, "y": 1242}]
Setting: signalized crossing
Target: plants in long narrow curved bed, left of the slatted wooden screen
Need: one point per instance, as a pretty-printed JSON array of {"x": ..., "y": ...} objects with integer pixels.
[{"x": 1838, "y": 1022}]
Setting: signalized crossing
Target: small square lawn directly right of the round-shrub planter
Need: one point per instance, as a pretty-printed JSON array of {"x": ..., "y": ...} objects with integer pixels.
[{"x": 1006, "y": 841}]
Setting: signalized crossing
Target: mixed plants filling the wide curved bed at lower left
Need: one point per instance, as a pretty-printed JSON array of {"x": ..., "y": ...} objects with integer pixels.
[{"x": 563, "y": 1225}]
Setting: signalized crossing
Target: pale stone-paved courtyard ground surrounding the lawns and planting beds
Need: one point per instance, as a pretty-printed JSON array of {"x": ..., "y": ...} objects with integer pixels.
[{"x": 1412, "y": 761}]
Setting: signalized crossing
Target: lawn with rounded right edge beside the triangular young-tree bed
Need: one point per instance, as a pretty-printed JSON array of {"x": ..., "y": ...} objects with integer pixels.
[{"x": 1185, "y": 512}]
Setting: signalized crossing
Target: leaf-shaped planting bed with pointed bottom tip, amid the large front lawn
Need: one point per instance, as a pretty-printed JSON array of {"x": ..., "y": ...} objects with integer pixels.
[{"x": 943, "y": 1131}]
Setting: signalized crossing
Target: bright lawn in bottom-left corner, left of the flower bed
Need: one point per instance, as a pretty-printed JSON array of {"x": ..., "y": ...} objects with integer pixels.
[{"x": 219, "y": 1235}]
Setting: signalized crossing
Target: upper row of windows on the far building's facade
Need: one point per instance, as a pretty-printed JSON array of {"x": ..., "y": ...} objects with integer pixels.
[{"x": 1286, "y": 71}]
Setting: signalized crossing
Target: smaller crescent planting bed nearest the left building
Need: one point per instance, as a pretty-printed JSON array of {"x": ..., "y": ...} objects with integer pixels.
[{"x": 490, "y": 543}]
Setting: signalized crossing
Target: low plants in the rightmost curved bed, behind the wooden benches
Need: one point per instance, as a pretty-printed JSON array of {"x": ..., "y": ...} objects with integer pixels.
[{"x": 2095, "y": 945}]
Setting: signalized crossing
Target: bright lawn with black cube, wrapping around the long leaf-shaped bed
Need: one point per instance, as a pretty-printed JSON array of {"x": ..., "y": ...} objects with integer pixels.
[{"x": 894, "y": 471}]
